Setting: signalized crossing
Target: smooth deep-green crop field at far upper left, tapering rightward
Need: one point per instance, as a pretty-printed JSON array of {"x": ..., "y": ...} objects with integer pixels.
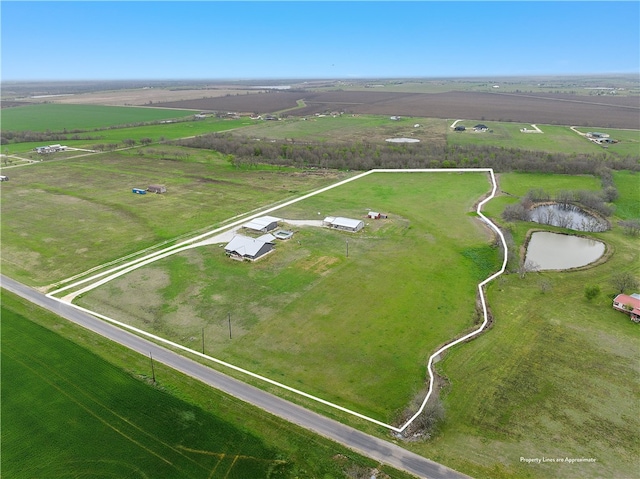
[{"x": 53, "y": 117}]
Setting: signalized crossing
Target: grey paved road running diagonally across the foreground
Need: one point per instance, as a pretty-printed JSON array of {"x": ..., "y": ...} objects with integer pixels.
[{"x": 373, "y": 447}]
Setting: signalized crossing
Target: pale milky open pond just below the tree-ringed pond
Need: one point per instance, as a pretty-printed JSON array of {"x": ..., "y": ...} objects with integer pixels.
[{"x": 553, "y": 251}]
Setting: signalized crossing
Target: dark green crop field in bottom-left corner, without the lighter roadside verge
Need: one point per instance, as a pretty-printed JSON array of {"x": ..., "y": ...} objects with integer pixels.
[{"x": 67, "y": 412}]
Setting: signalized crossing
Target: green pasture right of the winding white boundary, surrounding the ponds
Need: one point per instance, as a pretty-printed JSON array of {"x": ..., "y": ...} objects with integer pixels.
[{"x": 556, "y": 376}]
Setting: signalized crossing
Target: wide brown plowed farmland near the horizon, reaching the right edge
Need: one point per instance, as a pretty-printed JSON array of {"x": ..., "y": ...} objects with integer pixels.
[{"x": 551, "y": 109}]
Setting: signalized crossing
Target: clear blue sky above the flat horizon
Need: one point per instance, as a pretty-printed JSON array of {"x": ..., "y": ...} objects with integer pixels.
[{"x": 315, "y": 39}]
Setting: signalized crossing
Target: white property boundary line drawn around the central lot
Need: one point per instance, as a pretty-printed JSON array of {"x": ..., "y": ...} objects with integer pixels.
[{"x": 189, "y": 244}]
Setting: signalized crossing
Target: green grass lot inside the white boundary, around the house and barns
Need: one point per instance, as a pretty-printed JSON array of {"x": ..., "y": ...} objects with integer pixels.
[{"x": 356, "y": 329}]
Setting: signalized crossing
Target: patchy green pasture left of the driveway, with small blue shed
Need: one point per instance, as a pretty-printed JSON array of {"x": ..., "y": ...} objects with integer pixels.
[{"x": 61, "y": 218}]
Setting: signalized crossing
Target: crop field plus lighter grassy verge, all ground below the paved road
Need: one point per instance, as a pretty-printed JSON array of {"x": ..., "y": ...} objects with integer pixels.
[{"x": 68, "y": 412}]
